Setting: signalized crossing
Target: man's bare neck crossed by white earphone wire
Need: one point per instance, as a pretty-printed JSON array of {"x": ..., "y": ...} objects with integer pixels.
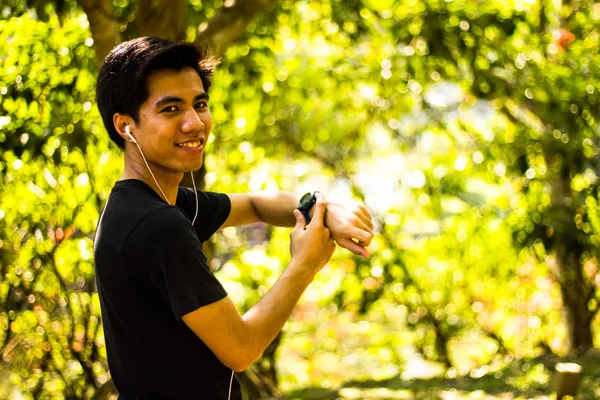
[{"x": 166, "y": 183}]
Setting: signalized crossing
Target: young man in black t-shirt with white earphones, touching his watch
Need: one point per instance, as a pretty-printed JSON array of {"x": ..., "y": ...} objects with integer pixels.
[{"x": 171, "y": 330}]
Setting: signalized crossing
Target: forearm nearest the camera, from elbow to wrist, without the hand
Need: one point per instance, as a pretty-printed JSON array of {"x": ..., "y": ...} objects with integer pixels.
[{"x": 264, "y": 321}]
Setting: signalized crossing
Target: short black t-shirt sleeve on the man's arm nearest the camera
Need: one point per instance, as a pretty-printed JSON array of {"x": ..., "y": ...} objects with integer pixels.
[{"x": 166, "y": 250}]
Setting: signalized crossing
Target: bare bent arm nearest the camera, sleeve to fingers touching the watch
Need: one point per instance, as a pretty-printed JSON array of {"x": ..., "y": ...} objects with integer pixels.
[{"x": 239, "y": 340}]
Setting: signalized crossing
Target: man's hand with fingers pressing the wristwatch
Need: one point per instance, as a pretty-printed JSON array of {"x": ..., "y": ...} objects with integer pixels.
[{"x": 311, "y": 245}]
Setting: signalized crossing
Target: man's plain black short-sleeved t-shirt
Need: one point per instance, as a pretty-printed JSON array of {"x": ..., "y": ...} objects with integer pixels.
[{"x": 151, "y": 271}]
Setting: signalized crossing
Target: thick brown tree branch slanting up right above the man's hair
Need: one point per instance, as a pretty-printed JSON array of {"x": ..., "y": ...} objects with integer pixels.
[{"x": 229, "y": 24}]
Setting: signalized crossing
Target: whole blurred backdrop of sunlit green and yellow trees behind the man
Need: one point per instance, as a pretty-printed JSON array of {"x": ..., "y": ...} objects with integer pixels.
[{"x": 467, "y": 127}]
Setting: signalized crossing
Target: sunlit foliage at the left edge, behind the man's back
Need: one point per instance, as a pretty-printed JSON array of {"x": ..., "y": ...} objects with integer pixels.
[{"x": 54, "y": 182}]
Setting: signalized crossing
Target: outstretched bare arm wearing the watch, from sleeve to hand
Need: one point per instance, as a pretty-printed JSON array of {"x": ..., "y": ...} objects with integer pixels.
[{"x": 351, "y": 226}]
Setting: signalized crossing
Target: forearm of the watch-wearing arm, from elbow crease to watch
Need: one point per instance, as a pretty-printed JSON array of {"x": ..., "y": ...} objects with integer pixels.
[{"x": 275, "y": 208}]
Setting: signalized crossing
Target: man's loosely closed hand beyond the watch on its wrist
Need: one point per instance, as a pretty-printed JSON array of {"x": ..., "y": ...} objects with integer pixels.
[{"x": 347, "y": 223}]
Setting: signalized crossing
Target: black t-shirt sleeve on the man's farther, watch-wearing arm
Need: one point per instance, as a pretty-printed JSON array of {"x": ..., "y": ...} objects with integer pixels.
[{"x": 213, "y": 210}]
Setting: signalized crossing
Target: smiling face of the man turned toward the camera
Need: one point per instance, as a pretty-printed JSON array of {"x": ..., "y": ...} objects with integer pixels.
[{"x": 174, "y": 122}]
